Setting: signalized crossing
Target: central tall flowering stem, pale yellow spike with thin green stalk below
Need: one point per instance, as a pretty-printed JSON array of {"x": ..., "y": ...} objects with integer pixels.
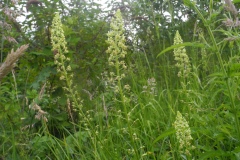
[{"x": 117, "y": 51}]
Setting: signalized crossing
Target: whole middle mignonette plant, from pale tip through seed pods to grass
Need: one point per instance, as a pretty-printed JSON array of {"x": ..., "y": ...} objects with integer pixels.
[{"x": 117, "y": 51}]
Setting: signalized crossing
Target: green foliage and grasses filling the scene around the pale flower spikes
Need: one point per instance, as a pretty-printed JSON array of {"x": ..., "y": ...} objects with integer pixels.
[{"x": 37, "y": 115}]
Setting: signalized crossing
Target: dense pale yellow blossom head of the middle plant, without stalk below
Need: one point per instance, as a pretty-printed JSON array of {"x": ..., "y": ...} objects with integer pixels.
[{"x": 117, "y": 52}]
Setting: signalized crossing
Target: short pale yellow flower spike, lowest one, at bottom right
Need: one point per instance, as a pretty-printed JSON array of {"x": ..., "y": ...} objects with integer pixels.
[{"x": 183, "y": 134}]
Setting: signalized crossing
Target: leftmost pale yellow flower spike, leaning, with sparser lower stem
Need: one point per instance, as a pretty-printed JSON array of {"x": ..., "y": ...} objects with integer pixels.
[{"x": 63, "y": 63}]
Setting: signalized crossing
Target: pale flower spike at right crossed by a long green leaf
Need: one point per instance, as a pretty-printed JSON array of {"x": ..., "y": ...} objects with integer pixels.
[{"x": 181, "y": 57}]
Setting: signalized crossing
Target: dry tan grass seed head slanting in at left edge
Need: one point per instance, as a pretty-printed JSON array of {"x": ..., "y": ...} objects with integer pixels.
[{"x": 10, "y": 61}]
